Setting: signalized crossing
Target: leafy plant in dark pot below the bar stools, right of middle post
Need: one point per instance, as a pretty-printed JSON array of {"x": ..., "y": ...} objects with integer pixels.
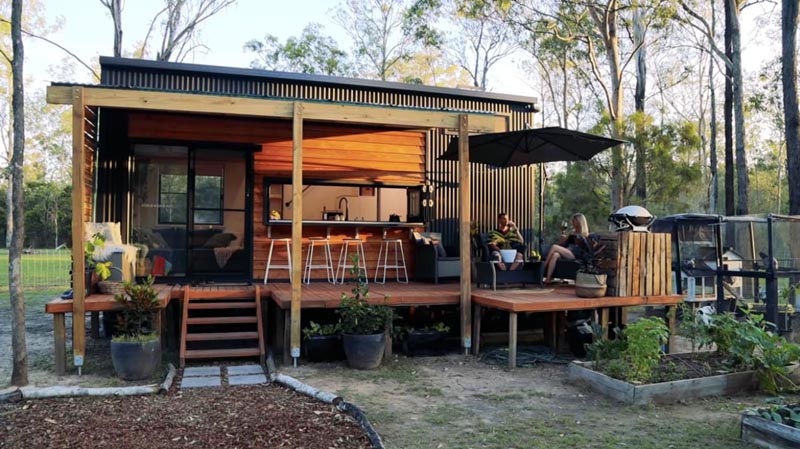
[{"x": 363, "y": 325}]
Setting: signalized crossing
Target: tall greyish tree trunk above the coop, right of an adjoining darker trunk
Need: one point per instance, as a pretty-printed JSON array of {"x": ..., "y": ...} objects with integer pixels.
[{"x": 738, "y": 112}]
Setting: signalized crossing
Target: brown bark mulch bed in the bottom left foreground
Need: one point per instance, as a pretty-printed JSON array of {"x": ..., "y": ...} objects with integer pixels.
[{"x": 230, "y": 417}]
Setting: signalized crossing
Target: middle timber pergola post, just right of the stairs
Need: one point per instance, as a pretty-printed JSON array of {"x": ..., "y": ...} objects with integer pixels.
[{"x": 297, "y": 226}]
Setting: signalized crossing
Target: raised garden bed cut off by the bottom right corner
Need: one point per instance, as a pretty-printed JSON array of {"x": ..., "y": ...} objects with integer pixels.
[{"x": 770, "y": 433}]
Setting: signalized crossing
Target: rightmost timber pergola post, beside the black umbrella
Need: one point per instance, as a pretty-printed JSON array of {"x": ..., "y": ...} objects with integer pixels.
[{"x": 464, "y": 232}]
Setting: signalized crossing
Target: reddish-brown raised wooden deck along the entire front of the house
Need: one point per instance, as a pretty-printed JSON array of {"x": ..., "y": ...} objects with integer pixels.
[{"x": 322, "y": 295}]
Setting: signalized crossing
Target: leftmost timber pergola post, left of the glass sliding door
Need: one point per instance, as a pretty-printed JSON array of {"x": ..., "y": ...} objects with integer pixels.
[{"x": 78, "y": 262}]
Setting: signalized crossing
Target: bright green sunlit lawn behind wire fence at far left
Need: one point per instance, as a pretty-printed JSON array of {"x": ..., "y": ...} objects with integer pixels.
[{"x": 40, "y": 269}]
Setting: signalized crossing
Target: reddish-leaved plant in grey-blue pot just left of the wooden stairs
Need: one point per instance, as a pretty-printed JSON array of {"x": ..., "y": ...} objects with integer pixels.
[{"x": 136, "y": 348}]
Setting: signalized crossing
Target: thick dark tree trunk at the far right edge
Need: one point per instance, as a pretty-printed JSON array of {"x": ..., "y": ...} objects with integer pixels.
[{"x": 790, "y": 111}]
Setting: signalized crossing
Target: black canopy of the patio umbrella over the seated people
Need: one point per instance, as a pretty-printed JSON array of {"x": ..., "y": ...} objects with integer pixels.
[{"x": 531, "y": 146}]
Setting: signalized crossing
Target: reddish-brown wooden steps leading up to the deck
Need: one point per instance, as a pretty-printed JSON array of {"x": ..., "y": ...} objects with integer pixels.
[{"x": 221, "y": 324}]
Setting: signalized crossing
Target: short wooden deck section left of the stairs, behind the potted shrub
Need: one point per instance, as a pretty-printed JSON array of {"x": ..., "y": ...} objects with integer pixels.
[{"x": 94, "y": 303}]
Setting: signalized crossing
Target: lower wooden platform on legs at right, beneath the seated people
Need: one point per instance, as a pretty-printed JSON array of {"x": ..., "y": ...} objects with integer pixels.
[{"x": 559, "y": 299}]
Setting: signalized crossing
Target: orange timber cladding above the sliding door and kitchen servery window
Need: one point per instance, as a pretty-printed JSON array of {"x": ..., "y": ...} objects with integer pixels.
[{"x": 345, "y": 153}]
